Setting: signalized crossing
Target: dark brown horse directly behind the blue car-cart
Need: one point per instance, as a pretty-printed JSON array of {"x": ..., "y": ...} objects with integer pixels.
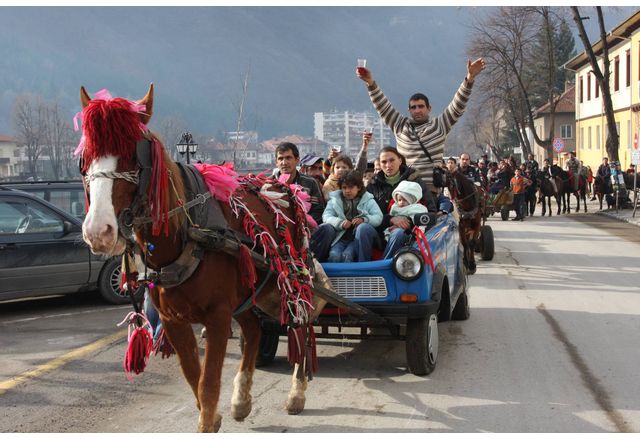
[{"x": 470, "y": 201}]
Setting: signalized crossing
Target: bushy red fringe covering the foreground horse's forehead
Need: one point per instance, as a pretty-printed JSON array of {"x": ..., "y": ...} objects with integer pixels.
[{"x": 110, "y": 127}]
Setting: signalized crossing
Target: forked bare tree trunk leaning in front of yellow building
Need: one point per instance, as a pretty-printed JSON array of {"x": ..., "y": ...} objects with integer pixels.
[{"x": 602, "y": 77}]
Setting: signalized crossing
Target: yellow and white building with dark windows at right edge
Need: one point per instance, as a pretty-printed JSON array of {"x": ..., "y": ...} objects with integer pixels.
[{"x": 624, "y": 84}]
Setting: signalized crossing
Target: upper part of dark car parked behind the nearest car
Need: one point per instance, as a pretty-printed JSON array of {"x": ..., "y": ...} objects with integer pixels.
[{"x": 66, "y": 195}]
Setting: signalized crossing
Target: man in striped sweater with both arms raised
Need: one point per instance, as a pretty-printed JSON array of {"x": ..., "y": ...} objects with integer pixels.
[{"x": 420, "y": 138}]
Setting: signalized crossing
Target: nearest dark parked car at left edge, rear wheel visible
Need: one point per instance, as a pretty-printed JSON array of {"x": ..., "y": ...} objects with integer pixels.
[{"x": 42, "y": 252}]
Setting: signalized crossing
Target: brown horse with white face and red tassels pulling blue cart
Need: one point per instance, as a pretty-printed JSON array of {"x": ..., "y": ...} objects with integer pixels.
[{"x": 131, "y": 183}]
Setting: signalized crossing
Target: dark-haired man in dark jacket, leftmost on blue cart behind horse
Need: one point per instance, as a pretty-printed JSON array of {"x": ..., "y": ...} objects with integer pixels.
[{"x": 287, "y": 159}]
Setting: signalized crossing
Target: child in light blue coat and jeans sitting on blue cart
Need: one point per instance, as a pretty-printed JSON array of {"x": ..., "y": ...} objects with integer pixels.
[{"x": 354, "y": 215}]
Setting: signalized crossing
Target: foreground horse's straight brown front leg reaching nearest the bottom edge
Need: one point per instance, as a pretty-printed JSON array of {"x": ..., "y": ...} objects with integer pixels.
[{"x": 218, "y": 326}]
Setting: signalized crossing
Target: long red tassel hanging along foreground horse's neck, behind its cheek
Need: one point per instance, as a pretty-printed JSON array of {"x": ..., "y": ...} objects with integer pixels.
[{"x": 159, "y": 190}]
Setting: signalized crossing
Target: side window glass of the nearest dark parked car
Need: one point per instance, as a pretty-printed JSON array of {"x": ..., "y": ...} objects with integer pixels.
[{"x": 21, "y": 217}]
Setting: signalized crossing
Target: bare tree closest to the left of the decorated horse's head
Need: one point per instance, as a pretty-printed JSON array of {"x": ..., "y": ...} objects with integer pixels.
[{"x": 58, "y": 137}]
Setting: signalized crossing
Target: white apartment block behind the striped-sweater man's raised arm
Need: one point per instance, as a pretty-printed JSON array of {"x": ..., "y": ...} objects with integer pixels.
[{"x": 344, "y": 129}]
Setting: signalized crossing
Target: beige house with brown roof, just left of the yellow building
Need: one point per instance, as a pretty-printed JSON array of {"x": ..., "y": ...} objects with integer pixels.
[{"x": 564, "y": 126}]
